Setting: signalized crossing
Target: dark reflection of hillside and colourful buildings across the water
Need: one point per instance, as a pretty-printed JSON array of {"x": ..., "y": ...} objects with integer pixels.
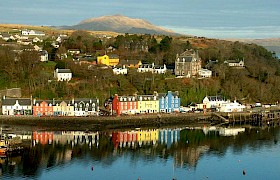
[{"x": 51, "y": 150}]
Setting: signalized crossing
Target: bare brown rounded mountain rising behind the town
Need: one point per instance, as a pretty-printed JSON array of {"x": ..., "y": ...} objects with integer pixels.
[{"x": 120, "y": 24}]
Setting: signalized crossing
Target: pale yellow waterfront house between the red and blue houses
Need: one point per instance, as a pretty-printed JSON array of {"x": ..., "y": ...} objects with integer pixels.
[{"x": 148, "y": 104}]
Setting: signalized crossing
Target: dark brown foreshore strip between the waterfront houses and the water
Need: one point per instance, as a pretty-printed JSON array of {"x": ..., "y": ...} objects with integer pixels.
[{"x": 106, "y": 122}]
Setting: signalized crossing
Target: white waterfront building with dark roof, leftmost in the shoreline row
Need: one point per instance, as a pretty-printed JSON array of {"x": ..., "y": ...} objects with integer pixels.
[{"x": 16, "y": 106}]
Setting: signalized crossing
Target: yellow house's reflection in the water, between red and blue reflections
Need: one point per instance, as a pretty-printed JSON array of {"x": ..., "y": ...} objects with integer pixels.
[{"x": 147, "y": 136}]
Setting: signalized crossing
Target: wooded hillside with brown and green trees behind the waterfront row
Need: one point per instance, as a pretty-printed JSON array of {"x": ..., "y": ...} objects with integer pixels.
[{"x": 258, "y": 82}]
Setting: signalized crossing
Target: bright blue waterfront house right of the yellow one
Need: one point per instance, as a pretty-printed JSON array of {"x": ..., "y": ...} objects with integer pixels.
[{"x": 169, "y": 102}]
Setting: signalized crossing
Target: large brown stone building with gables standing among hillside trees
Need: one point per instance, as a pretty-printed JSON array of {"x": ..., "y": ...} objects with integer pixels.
[{"x": 187, "y": 64}]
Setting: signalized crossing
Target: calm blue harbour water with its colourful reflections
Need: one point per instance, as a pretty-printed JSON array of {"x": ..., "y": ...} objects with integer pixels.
[{"x": 180, "y": 153}]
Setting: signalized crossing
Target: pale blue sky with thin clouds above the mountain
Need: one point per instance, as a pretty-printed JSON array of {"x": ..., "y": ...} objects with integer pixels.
[{"x": 207, "y": 18}]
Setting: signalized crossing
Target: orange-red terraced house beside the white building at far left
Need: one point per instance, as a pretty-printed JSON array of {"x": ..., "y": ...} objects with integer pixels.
[{"x": 42, "y": 108}]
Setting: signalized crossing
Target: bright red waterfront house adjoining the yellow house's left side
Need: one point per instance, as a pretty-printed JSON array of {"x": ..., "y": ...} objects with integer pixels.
[{"x": 124, "y": 105}]
